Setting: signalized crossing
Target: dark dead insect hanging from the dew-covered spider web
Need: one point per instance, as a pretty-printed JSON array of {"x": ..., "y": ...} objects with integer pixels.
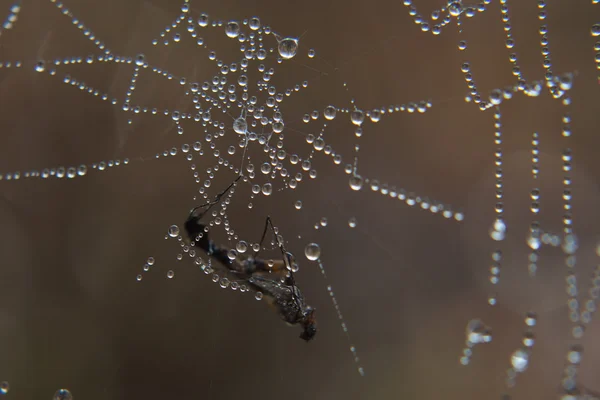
[{"x": 274, "y": 279}]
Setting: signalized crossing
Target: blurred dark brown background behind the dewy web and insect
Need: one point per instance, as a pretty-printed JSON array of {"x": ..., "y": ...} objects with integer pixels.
[{"x": 73, "y": 315}]
